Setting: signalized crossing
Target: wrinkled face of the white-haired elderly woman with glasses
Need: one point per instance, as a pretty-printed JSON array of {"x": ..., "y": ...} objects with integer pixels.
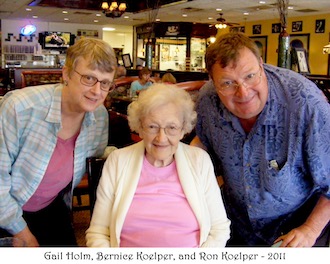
[{"x": 162, "y": 132}]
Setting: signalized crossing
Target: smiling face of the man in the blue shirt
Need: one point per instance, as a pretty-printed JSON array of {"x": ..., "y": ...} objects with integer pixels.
[{"x": 243, "y": 87}]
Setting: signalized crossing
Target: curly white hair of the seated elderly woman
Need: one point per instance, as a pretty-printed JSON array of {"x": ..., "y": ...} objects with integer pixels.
[{"x": 157, "y": 95}]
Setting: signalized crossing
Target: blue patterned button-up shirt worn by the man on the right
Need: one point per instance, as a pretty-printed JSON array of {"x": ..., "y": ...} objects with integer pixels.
[{"x": 271, "y": 171}]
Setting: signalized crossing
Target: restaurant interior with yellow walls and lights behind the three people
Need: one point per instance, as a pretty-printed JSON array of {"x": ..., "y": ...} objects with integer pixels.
[{"x": 164, "y": 35}]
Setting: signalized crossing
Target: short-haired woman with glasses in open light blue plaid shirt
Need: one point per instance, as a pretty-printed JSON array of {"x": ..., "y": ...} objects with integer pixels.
[{"x": 46, "y": 134}]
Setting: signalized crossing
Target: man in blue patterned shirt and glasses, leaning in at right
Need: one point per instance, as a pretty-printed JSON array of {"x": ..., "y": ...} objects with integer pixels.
[{"x": 268, "y": 131}]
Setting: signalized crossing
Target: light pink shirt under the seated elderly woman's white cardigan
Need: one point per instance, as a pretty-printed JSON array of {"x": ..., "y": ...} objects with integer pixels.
[{"x": 160, "y": 215}]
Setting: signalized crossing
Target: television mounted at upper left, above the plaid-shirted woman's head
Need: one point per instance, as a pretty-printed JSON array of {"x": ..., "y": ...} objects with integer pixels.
[{"x": 55, "y": 39}]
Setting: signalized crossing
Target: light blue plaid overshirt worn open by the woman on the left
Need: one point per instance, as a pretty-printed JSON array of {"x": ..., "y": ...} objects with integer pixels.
[{"x": 30, "y": 119}]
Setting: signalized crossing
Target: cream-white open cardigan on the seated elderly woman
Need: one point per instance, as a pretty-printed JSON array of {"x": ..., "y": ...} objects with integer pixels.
[{"x": 119, "y": 180}]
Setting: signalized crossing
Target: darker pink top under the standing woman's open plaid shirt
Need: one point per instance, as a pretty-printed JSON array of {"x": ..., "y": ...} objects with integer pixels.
[{"x": 58, "y": 175}]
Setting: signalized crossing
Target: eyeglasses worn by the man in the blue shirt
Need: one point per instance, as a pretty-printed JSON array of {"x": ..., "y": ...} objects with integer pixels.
[{"x": 230, "y": 87}]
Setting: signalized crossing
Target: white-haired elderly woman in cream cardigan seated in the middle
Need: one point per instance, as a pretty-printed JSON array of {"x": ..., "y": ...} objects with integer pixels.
[{"x": 159, "y": 192}]
